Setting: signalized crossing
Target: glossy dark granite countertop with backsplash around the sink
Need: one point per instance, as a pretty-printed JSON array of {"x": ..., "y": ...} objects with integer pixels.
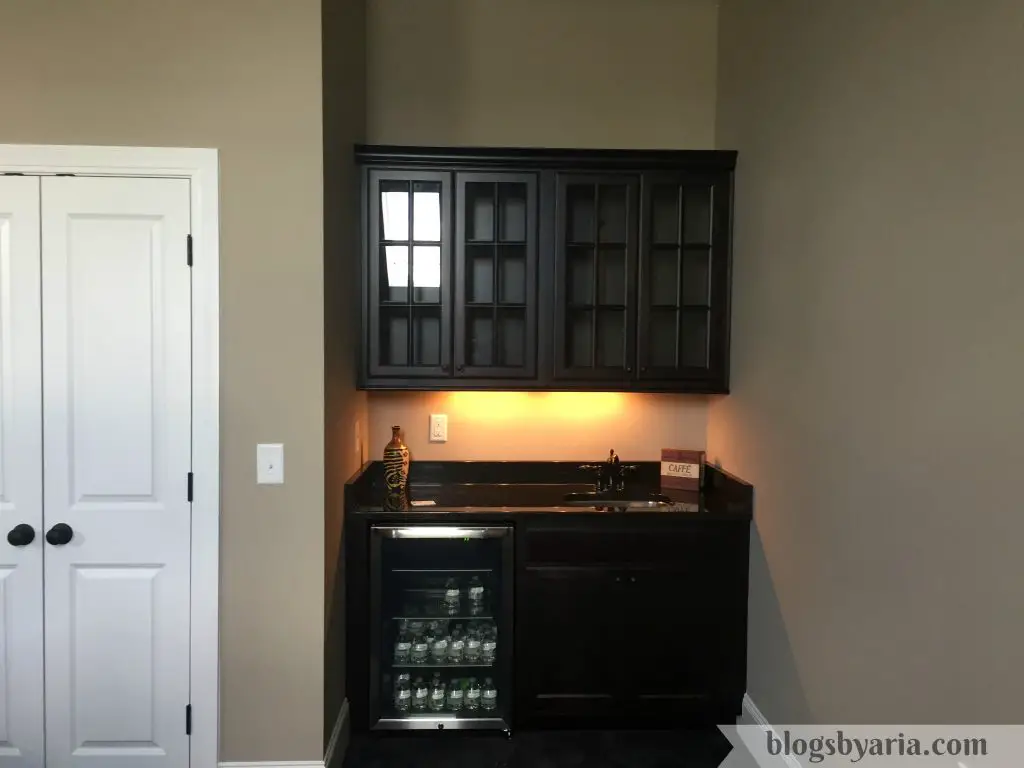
[{"x": 536, "y": 488}]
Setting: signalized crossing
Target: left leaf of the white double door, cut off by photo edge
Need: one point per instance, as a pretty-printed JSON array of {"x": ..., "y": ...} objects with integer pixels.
[{"x": 21, "y": 478}]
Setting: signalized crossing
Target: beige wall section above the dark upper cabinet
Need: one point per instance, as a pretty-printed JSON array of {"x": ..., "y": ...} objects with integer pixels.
[{"x": 572, "y": 73}]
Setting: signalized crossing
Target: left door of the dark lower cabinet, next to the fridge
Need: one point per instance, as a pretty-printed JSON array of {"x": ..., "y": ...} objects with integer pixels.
[{"x": 566, "y": 642}]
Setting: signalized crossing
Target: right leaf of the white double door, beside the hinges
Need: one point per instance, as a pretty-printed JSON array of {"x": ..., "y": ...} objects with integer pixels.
[{"x": 117, "y": 448}]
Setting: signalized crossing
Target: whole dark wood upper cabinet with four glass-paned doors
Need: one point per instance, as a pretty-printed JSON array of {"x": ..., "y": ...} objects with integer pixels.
[{"x": 570, "y": 270}]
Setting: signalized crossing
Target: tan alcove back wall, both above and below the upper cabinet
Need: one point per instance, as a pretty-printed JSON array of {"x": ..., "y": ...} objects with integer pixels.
[{"x": 572, "y": 73}]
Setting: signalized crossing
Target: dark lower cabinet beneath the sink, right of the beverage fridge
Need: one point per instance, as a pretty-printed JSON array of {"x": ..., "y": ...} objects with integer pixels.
[{"x": 628, "y": 635}]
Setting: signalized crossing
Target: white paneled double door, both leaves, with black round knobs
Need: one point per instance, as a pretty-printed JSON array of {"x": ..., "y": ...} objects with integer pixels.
[{"x": 96, "y": 425}]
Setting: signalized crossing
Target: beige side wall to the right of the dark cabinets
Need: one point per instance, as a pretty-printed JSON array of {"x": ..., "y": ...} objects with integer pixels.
[{"x": 877, "y": 364}]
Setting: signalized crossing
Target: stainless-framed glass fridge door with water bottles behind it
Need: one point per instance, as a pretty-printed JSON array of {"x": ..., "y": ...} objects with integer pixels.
[{"x": 441, "y": 628}]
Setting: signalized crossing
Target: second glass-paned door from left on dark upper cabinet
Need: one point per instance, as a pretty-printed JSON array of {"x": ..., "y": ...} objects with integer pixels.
[{"x": 496, "y": 276}]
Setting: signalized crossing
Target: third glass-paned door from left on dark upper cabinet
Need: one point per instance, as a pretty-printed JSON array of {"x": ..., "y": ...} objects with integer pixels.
[{"x": 595, "y": 277}]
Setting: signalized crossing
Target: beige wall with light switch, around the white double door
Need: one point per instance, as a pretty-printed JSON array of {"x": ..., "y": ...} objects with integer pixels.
[{"x": 243, "y": 76}]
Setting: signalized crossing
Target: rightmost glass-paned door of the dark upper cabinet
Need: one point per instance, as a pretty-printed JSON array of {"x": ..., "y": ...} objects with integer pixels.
[{"x": 685, "y": 282}]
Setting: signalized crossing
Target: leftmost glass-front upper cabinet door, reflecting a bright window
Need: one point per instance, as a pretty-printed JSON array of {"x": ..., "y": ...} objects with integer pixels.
[{"x": 409, "y": 285}]
